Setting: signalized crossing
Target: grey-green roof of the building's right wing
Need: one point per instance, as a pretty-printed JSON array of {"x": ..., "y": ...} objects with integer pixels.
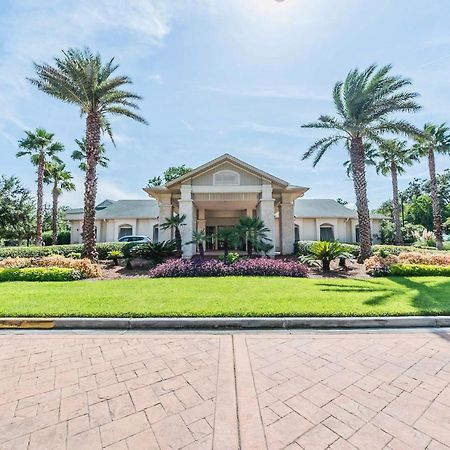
[{"x": 310, "y": 208}]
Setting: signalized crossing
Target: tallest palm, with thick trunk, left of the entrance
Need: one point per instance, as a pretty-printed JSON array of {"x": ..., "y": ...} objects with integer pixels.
[{"x": 81, "y": 78}]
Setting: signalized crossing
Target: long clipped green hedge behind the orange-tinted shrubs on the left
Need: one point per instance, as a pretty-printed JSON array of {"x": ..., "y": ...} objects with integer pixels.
[{"x": 103, "y": 249}]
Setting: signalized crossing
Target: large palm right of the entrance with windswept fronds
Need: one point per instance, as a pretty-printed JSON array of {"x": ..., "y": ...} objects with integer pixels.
[{"x": 364, "y": 103}]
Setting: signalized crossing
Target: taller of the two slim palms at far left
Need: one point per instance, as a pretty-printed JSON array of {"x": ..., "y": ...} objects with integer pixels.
[{"x": 40, "y": 146}]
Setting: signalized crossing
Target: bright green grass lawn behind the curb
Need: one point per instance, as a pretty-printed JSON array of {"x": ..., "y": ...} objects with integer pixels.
[{"x": 230, "y": 296}]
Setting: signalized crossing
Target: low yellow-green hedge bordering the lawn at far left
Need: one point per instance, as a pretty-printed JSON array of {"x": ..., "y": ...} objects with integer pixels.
[{"x": 39, "y": 274}]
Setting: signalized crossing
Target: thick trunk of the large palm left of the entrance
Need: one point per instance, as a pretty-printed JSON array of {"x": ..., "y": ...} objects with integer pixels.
[{"x": 90, "y": 184}]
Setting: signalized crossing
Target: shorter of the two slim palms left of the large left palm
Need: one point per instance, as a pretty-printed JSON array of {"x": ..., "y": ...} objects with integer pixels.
[{"x": 55, "y": 173}]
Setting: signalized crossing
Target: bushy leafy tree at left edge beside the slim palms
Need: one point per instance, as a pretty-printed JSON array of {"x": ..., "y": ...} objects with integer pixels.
[{"x": 17, "y": 211}]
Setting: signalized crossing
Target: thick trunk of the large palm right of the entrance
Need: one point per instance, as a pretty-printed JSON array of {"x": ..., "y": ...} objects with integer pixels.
[{"x": 360, "y": 184}]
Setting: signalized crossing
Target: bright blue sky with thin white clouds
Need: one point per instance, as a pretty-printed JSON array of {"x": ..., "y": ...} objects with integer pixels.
[{"x": 220, "y": 76}]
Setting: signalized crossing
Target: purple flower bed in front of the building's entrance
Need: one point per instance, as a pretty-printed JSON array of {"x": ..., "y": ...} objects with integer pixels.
[{"x": 214, "y": 268}]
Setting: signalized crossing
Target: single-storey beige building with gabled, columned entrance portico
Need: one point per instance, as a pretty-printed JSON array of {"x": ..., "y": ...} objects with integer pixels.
[{"x": 215, "y": 195}]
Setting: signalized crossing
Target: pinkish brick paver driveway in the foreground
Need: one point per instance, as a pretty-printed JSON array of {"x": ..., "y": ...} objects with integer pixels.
[{"x": 248, "y": 391}]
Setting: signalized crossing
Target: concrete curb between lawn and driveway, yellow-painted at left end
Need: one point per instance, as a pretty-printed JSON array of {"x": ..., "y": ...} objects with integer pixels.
[{"x": 161, "y": 323}]
